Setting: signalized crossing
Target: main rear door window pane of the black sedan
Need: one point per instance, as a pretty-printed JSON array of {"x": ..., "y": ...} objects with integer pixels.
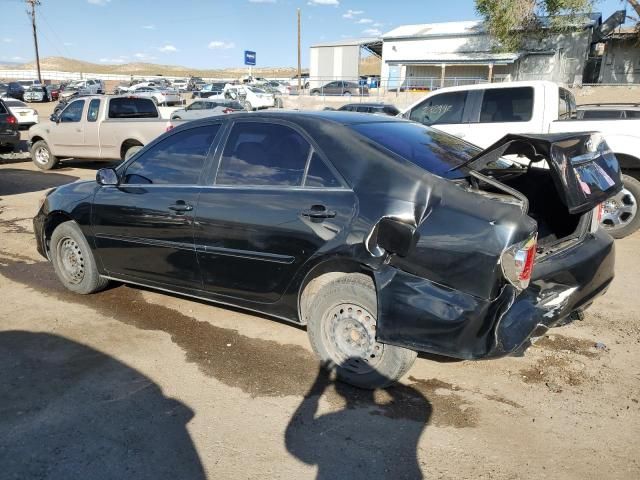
[{"x": 263, "y": 154}]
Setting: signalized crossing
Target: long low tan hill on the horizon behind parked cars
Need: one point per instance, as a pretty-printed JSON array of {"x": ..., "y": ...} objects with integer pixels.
[{"x": 70, "y": 65}]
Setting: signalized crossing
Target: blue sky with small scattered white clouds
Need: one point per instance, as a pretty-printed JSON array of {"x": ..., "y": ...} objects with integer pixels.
[{"x": 210, "y": 33}]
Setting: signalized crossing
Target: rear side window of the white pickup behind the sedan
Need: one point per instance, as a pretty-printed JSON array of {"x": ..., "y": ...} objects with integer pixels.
[{"x": 507, "y": 105}]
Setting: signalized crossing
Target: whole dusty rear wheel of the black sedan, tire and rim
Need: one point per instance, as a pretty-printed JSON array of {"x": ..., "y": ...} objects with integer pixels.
[{"x": 354, "y": 296}]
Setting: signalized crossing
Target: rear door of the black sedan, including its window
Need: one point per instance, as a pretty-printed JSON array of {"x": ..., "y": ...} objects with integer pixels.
[{"x": 274, "y": 203}]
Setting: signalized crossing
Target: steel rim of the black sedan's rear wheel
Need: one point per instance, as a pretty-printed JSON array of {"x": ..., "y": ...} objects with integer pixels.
[{"x": 349, "y": 331}]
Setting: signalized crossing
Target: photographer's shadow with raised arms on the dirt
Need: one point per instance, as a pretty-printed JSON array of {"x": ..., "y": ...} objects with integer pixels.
[{"x": 373, "y": 436}]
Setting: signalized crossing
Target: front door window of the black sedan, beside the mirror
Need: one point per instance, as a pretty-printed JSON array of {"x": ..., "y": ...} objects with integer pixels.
[{"x": 177, "y": 160}]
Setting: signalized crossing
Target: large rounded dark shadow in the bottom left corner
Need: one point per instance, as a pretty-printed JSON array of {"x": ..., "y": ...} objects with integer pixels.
[{"x": 70, "y": 411}]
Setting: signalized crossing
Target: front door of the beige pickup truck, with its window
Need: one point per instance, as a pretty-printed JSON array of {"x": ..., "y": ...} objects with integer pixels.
[{"x": 67, "y": 135}]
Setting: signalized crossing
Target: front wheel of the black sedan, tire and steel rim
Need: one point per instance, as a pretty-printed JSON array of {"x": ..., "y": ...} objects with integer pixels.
[{"x": 73, "y": 260}]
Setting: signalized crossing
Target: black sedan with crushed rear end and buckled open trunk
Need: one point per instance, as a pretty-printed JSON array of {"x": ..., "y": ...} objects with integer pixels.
[{"x": 383, "y": 236}]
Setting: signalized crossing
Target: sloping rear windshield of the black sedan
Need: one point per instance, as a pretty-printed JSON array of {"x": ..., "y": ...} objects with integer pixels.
[{"x": 430, "y": 149}]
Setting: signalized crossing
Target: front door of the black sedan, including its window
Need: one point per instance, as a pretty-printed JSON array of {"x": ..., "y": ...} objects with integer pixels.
[{"x": 144, "y": 226}]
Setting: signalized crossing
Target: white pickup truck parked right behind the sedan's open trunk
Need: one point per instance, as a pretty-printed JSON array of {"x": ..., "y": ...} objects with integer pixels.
[{"x": 482, "y": 114}]
